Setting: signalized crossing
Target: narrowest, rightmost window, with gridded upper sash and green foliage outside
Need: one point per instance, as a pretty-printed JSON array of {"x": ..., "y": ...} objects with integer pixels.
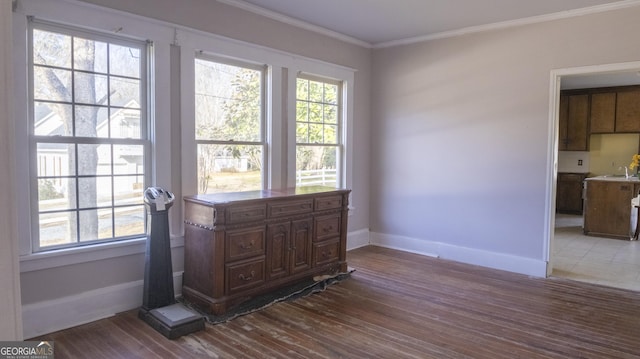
[{"x": 318, "y": 132}]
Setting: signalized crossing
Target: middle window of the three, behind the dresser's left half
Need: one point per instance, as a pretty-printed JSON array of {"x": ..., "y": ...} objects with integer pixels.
[{"x": 229, "y": 126}]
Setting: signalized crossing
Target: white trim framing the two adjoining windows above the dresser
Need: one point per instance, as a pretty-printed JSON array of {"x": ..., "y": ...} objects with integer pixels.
[{"x": 280, "y": 120}]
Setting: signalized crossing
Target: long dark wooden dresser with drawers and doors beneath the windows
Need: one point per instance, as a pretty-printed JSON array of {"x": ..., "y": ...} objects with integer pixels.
[{"x": 238, "y": 245}]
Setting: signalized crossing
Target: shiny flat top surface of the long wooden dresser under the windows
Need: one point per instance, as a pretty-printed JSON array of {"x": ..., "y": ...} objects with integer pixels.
[{"x": 230, "y": 197}]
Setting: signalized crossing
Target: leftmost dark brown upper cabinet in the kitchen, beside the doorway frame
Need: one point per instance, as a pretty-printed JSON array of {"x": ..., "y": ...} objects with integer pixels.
[{"x": 573, "y": 122}]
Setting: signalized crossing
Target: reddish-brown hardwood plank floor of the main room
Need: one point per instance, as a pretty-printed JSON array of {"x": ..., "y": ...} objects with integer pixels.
[{"x": 398, "y": 305}]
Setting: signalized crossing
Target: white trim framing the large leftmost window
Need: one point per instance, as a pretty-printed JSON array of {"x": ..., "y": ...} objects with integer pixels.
[{"x": 103, "y": 20}]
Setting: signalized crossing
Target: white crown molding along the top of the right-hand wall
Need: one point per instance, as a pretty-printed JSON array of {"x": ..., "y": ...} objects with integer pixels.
[{"x": 512, "y": 23}]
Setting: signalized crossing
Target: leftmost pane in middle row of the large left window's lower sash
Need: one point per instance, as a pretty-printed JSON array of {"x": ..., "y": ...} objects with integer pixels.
[{"x": 55, "y": 194}]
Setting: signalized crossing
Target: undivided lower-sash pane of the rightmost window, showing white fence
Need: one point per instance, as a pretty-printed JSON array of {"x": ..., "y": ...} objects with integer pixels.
[{"x": 316, "y": 165}]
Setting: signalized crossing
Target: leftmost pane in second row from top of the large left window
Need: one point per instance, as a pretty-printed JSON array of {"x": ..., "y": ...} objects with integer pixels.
[{"x": 51, "y": 84}]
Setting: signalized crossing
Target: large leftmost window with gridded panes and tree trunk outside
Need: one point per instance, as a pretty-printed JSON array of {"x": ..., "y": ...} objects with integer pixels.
[{"x": 89, "y": 137}]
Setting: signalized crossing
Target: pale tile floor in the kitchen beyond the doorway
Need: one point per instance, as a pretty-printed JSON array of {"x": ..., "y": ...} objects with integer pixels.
[{"x": 605, "y": 261}]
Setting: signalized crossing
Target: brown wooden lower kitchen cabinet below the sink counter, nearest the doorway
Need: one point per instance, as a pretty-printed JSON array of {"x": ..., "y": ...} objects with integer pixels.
[{"x": 607, "y": 205}]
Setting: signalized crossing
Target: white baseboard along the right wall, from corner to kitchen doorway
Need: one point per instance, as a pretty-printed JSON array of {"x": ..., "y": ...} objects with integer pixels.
[{"x": 479, "y": 257}]
